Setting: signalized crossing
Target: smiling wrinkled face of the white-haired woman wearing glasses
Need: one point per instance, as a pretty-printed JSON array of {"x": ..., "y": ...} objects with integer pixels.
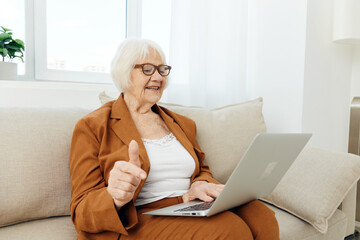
[{"x": 147, "y": 89}]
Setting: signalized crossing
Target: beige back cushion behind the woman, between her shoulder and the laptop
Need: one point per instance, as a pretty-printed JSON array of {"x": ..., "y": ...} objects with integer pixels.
[{"x": 224, "y": 134}]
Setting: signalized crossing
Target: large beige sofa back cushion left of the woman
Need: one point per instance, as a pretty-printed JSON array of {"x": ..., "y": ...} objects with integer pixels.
[{"x": 34, "y": 164}]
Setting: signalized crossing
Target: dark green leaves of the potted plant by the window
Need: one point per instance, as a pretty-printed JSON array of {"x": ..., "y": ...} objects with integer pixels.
[{"x": 10, "y": 48}]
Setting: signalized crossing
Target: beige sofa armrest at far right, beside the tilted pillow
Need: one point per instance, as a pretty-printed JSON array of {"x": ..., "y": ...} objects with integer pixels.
[{"x": 348, "y": 206}]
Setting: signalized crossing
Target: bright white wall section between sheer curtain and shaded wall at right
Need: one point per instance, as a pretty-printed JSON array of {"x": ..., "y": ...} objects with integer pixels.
[{"x": 276, "y": 59}]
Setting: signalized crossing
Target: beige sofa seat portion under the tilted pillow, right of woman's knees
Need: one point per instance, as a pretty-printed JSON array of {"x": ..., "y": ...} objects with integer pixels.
[{"x": 294, "y": 228}]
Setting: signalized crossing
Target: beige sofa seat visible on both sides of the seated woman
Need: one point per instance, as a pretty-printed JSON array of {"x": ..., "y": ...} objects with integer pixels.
[{"x": 61, "y": 228}]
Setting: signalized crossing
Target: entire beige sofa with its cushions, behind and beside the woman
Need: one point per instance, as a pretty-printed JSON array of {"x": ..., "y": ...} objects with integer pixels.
[{"x": 35, "y": 178}]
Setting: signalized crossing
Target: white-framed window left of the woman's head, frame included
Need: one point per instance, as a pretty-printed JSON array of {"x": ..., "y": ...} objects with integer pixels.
[{"x": 76, "y": 40}]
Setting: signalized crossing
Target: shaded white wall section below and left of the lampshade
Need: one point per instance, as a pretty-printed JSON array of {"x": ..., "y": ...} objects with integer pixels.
[{"x": 327, "y": 81}]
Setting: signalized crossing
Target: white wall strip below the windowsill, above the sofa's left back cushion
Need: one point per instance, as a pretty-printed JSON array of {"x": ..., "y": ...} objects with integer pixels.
[{"x": 52, "y": 94}]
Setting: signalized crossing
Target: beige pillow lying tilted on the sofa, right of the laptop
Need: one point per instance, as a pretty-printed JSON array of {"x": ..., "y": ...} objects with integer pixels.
[{"x": 316, "y": 184}]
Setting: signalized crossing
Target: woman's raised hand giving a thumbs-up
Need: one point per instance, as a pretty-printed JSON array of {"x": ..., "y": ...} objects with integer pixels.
[{"x": 125, "y": 177}]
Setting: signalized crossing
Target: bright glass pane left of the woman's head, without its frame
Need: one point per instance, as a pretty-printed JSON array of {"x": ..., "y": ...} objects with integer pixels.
[{"x": 85, "y": 36}]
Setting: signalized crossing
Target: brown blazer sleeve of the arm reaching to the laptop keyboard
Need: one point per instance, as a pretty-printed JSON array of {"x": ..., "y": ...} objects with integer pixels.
[{"x": 204, "y": 173}]
